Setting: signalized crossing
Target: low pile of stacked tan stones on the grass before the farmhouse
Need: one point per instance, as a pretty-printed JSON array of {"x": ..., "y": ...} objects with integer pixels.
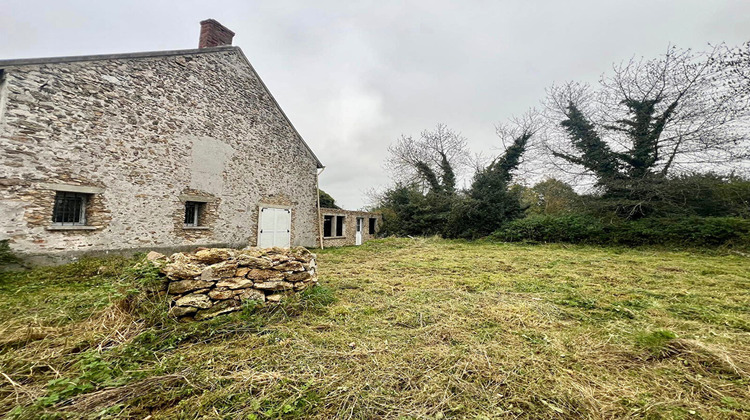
[{"x": 214, "y": 281}]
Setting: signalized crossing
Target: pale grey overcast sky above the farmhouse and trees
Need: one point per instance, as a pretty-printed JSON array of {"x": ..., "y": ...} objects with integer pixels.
[{"x": 355, "y": 75}]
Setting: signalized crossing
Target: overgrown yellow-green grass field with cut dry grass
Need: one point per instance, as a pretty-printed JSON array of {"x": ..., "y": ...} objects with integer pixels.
[{"x": 399, "y": 328}]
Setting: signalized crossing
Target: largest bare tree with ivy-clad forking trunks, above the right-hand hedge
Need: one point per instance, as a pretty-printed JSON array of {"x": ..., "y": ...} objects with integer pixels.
[{"x": 648, "y": 119}]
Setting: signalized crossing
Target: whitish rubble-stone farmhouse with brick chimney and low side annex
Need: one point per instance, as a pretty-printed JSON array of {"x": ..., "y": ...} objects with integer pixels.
[{"x": 164, "y": 150}]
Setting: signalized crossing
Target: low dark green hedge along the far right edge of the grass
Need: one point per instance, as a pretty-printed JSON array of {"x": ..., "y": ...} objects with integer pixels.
[{"x": 691, "y": 231}]
